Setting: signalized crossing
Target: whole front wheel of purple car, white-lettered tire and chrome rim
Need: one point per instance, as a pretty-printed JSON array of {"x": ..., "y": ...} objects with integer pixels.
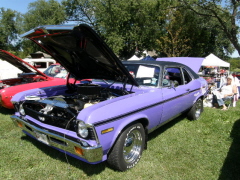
[{"x": 128, "y": 148}]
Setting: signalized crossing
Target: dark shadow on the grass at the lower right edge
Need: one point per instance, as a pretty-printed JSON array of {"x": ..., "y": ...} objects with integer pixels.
[{"x": 231, "y": 166}]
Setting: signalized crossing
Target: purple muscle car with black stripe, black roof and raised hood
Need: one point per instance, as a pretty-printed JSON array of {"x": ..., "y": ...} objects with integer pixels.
[{"x": 109, "y": 117}]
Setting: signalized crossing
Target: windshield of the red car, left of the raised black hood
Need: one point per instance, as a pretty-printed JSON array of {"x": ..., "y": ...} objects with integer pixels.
[{"x": 56, "y": 70}]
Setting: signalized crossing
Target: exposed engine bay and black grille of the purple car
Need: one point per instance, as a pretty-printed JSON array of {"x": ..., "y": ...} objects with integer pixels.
[{"x": 61, "y": 110}]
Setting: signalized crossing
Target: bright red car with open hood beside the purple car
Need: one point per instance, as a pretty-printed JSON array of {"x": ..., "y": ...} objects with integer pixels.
[{"x": 30, "y": 78}]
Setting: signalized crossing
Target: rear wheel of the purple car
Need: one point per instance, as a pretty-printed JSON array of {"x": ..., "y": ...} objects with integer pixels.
[{"x": 196, "y": 110}]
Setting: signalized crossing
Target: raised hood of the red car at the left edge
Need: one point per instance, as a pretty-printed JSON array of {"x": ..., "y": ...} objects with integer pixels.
[{"x": 19, "y": 63}]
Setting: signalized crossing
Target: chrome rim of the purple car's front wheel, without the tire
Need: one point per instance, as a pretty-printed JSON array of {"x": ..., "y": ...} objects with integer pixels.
[{"x": 132, "y": 146}]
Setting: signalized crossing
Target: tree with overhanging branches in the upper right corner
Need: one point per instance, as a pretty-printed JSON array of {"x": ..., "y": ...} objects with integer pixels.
[{"x": 224, "y": 12}]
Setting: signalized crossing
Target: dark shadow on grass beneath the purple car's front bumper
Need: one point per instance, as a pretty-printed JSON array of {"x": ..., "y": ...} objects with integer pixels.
[{"x": 89, "y": 169}]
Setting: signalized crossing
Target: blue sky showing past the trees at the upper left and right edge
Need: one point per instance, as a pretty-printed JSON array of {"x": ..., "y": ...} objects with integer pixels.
[{"x": 22, "y": 6}]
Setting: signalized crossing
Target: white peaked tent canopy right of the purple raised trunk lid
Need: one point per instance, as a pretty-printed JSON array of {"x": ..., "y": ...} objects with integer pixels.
[{"x": 212, "y": 60}]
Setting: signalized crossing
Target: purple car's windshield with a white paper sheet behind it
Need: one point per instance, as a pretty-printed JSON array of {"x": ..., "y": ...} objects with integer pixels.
[{"x": 146, "y": 75}]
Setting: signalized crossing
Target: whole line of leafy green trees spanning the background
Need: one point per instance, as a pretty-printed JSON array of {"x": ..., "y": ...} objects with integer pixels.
[{"x": 172, "y": 28}]
